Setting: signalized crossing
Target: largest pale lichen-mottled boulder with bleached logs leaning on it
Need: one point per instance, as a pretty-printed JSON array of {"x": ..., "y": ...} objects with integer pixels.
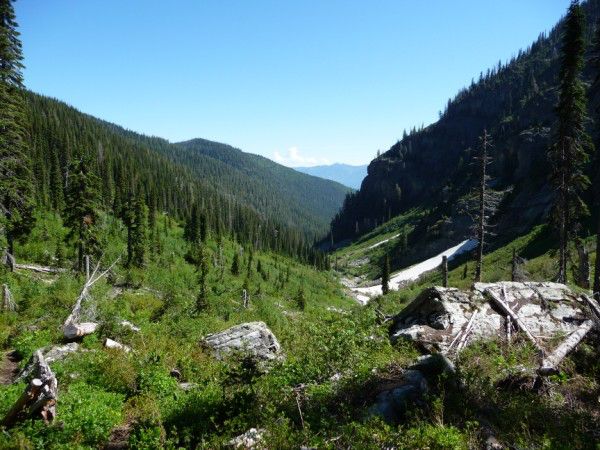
[{"x": 438, "y": 317}]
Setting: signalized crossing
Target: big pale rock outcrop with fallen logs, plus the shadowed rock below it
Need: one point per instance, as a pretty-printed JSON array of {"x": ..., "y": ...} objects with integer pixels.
[{"x": 444, "y": 320}]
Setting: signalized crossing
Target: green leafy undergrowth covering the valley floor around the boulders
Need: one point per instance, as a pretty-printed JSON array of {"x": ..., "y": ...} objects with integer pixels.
[{"x": 337, "y": 356}]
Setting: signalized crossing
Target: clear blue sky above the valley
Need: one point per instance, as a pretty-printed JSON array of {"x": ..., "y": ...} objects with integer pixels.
[{"x": 302, "y": 82}]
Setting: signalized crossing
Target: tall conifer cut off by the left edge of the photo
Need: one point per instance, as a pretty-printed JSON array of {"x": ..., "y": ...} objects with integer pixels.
[{"x": 16, "y": 187}]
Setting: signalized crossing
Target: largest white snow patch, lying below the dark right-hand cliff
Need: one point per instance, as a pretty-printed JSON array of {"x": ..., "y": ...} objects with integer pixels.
[{"x": 364, "y": 294}]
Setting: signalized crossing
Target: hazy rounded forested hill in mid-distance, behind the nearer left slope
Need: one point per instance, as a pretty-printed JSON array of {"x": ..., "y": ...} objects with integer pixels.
[{"x": 269, "y": 187}]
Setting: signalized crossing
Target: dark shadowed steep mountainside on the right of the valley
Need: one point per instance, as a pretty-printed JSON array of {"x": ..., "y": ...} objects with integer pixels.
[{"x": 431, "y": 167}]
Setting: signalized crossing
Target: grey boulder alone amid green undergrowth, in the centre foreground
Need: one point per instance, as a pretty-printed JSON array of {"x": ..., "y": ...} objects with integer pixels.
[{"x": 252, "y": 337}]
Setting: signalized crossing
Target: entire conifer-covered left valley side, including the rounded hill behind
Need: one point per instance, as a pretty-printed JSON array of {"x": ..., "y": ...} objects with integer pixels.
[{"x": 274, "y": 193}]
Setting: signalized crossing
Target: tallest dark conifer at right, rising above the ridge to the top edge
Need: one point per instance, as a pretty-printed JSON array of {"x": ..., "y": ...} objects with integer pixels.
[{"x": 569, "y": 152}]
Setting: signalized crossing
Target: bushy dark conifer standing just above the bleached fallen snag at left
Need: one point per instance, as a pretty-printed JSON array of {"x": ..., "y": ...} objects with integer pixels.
[{"x": 81, "y": 215}]
